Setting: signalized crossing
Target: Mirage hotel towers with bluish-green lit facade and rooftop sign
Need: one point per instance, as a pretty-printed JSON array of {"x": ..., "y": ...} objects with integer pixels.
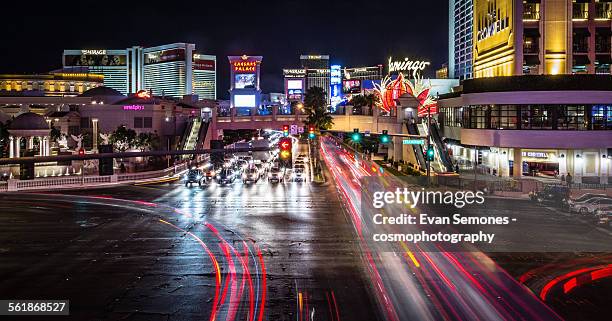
[{"x": 171, "y": 70}]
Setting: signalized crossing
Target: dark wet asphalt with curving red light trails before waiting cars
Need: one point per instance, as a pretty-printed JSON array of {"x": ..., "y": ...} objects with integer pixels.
[{"x": 167, "y": 252}]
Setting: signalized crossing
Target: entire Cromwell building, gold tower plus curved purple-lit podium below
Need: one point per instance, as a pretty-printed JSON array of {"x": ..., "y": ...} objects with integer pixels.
[{"x": 540, "y": 102}]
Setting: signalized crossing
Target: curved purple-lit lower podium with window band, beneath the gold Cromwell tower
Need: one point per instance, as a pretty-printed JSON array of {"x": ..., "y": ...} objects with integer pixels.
[{"x": 532, "y": 125}]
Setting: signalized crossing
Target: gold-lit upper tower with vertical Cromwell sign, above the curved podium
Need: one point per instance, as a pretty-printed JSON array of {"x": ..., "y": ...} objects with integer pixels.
[{"x": 514, "y": 37}]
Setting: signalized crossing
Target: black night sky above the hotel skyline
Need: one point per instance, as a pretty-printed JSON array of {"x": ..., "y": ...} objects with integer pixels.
[{"x": 354, "y": 33}]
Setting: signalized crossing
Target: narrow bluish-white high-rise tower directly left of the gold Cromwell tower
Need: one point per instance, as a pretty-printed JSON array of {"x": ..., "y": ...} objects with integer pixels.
[{"x": 460, "y": 39}]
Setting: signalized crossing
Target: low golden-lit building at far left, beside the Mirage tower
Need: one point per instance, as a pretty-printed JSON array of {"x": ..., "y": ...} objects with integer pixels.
[{"x": 52, "y": 84}]
